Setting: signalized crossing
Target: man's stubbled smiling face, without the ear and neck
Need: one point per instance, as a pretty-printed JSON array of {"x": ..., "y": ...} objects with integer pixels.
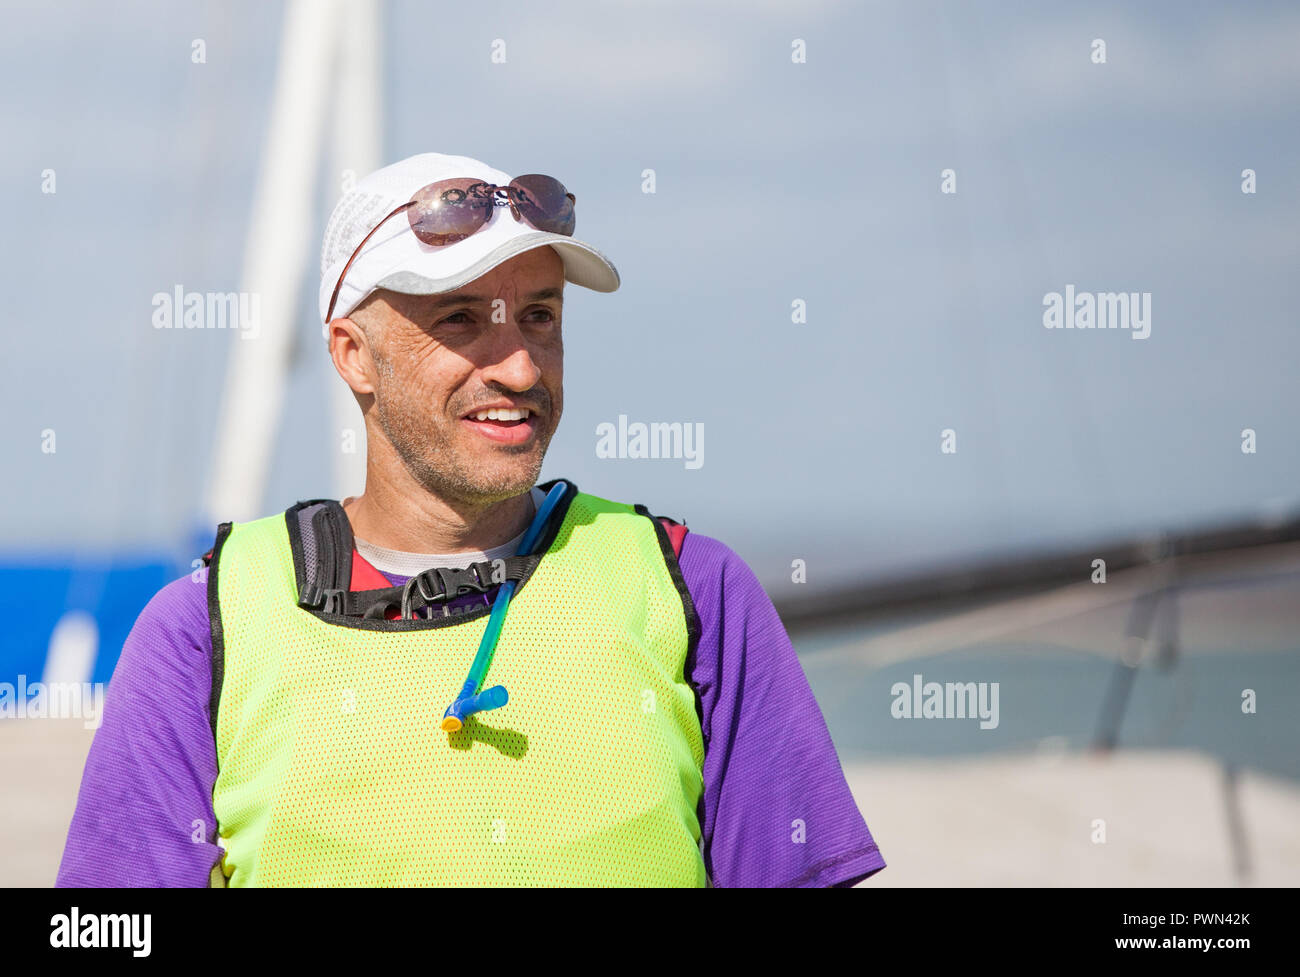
[{"x": 441, "y": 359}]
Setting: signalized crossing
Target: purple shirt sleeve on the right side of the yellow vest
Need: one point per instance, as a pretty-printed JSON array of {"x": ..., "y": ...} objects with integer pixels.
[{"x": 777, "y": 809}]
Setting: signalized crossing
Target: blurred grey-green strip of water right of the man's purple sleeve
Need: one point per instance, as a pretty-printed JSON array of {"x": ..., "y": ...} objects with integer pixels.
[{"x": 1051, "y": 697}]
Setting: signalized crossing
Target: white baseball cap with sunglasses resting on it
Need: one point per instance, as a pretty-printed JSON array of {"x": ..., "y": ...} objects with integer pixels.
[{"x": 398, "y": 260}]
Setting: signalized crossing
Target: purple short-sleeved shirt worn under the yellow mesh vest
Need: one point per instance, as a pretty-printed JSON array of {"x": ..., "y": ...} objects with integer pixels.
[{"x": 777, "y": 807}]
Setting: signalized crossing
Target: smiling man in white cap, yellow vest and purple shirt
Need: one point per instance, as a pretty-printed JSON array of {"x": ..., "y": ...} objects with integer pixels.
[{"x": 630, "y": 707}]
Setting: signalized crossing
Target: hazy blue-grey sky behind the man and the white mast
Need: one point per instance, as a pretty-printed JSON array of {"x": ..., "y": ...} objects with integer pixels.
[{"x": 775, "y": 183}]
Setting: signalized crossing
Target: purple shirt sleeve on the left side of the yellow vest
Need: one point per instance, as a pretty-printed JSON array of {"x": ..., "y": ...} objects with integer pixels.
[{"x": 145, "y": 810}]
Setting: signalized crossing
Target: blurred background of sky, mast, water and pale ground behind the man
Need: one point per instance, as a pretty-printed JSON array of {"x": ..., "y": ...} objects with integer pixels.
[{"x": 798, "y": 154}]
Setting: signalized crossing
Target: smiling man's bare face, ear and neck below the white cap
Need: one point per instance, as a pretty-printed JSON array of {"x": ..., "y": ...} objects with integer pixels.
[{"x": 465, "y": 401}]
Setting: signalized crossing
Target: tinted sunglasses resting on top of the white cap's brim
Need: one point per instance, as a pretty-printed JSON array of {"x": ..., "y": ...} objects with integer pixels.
[{"x": 448, "y": 212}]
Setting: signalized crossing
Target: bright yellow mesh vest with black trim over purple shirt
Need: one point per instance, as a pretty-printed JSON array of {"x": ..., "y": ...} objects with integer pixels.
[{"x": 333, "y": 768}]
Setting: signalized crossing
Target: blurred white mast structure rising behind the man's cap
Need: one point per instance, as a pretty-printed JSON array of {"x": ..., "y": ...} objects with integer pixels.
[{"x": 326, "y": 47}]
